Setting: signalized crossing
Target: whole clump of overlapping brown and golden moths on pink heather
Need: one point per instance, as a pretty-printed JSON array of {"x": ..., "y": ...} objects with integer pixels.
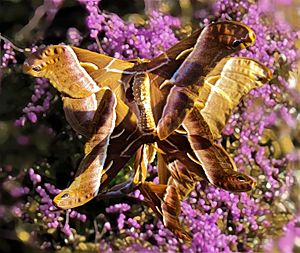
[{"x": 165, "y": 105}]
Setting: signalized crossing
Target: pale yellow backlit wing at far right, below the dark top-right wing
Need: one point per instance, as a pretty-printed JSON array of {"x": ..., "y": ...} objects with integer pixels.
[{"x": 226, "y": 85}]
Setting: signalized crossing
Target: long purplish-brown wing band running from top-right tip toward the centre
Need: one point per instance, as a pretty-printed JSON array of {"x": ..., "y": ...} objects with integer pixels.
[{"x": 216, "y": 41}]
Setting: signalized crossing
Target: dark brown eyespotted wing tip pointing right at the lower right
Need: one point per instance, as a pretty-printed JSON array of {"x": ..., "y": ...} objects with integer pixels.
[{"x": 237, "y": 182}]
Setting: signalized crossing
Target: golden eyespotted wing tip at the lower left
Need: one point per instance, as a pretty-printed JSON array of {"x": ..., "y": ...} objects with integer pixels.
[{"x": 71, "y": 198}]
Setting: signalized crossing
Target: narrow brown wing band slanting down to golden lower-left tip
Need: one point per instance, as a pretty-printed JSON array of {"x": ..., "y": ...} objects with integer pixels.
[{"x": 88, "y": 177}]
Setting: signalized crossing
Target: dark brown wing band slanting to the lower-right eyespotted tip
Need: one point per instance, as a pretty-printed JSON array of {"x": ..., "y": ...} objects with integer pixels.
[{"x": 217, "y": 164}]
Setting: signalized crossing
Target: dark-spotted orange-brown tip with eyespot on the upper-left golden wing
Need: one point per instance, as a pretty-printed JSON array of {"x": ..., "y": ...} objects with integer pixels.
[{"x": 38, "y": 62}]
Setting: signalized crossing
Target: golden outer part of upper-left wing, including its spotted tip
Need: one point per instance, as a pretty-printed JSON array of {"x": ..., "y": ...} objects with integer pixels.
[{"x": 61, "y": 66}]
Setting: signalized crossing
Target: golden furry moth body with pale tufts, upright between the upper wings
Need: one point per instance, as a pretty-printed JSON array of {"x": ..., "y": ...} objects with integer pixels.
[{"x": 142, "y": 97}]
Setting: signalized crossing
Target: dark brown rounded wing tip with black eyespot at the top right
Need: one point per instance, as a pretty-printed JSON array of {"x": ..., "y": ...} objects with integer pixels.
[{"x": 231, "y": 35}]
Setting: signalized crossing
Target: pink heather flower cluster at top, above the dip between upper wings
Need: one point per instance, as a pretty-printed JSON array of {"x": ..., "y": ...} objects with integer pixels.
[{"x": 129, "y": 40}]
